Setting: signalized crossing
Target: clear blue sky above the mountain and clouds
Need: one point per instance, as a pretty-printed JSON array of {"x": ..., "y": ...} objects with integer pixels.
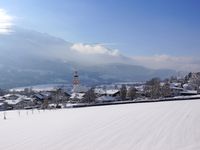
[{"x": 135, "y": 27}]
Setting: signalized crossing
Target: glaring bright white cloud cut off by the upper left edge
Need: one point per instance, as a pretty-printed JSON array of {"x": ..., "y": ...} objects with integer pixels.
[{"x": 5, "y": 22}]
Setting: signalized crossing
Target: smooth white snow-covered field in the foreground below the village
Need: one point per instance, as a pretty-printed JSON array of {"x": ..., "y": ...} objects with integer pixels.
[{"x": 149, "y": 126}]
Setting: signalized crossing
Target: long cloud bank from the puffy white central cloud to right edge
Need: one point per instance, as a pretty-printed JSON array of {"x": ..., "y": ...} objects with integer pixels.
[{"x": 178, "y": 63}]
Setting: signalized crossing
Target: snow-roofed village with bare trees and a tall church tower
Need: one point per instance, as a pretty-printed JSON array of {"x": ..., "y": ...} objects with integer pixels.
[{"x": 80, "y": 95}]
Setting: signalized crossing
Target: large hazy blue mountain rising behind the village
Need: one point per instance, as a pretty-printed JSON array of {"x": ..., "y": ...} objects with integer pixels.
[{"x": 28, "y": 57}]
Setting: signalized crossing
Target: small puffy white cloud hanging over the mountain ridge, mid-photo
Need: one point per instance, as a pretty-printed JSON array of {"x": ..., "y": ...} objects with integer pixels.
[{"x": 93, "y": 49}]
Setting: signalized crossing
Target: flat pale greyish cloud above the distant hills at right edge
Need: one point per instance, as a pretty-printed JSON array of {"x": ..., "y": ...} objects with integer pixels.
[{"x": 185, "y": 63}]
